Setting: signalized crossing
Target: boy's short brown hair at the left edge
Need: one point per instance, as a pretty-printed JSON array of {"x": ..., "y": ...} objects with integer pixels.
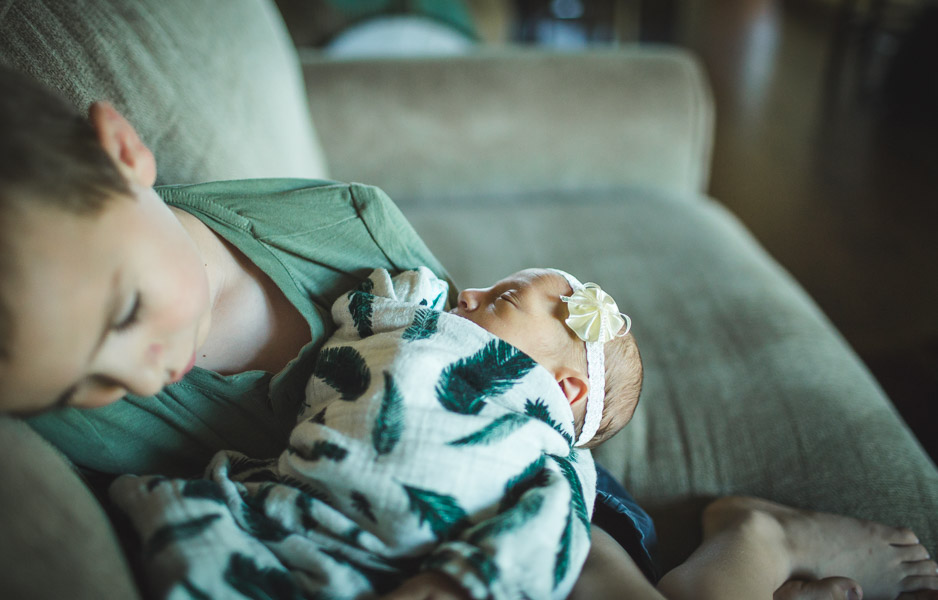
[{"x": 50, "y": 156}]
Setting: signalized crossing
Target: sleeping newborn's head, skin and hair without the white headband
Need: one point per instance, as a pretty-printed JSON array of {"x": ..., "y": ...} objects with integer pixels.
[{"x": 527, "y": 310}]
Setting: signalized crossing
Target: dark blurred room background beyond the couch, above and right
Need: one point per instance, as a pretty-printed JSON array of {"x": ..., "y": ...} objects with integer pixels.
[{"x": 827, "y": 121}]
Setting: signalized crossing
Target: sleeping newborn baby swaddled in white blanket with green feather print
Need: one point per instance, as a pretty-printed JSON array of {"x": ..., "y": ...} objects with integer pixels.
[{"x": 466, "y": 432}]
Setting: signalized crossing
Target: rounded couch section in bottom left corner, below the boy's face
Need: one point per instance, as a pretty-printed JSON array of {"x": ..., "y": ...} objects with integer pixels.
[{"x": 55, "y": 540}]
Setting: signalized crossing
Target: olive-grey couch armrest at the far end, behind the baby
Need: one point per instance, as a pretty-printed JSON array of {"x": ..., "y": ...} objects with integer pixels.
[{"x": 514, "y": 121}]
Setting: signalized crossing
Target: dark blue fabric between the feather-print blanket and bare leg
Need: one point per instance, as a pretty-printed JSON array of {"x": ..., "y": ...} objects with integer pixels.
[{"x": 617, "y": 513}]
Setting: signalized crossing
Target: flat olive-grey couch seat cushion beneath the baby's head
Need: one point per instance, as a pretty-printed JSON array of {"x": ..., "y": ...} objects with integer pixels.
[{"x": 748, "y": 387}]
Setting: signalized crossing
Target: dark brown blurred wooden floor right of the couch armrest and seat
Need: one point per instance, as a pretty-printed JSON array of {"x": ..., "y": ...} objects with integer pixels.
[{"x": 845, "y": 197}]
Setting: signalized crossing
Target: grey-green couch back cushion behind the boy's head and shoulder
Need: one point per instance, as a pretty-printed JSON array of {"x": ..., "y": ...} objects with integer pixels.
[{"x": 212, "y": 86}]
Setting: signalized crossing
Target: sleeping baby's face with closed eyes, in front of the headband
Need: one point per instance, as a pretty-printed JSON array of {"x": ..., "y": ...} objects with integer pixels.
[{"x": 525, "y": 310}]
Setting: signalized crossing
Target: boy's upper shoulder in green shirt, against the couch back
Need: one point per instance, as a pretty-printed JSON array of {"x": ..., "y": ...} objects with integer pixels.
[{"x": 348, "y": 229}]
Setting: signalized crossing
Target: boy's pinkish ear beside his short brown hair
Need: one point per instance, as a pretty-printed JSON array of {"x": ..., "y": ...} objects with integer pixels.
[{"x": 120, "y": 140}]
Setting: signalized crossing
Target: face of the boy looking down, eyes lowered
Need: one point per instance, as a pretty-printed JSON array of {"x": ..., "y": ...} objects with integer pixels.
[{"x": 103, "y": 305}]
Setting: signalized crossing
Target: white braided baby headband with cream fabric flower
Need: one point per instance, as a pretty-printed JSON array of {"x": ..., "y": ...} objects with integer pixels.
[{"x": 595, "y": 318}]
